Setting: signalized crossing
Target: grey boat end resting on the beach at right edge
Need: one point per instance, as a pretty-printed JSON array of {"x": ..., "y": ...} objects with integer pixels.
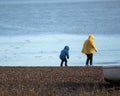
[{"x": 112, "y": 74}]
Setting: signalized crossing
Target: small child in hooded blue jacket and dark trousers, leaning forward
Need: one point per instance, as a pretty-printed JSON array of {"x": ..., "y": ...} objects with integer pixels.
[{"x": 64, "y": 55}]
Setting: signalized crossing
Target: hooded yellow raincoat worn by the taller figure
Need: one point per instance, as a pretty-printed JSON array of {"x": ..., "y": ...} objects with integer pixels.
[{"x": 89, "y": 46}]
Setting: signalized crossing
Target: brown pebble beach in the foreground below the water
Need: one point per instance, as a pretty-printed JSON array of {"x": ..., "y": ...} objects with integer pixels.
[{"x": 56, "y": 81}]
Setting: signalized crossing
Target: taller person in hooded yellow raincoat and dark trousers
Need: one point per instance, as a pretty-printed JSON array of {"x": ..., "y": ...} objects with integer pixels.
[{"x": 89, "y": 48}]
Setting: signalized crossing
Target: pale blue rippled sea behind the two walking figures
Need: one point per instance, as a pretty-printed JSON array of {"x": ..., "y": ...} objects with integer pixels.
[{"x": 33, "y": 34}]
